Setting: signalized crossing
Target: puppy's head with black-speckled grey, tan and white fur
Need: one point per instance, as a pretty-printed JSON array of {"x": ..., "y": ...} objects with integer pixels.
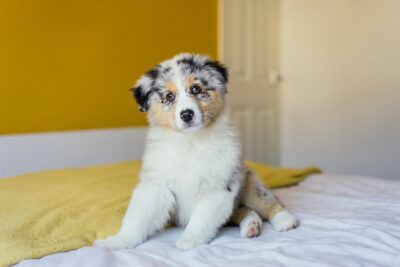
[{"x": 185, "y": 93}]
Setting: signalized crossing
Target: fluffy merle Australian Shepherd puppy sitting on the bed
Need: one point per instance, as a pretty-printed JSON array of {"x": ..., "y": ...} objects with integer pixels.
[{"x": 192, "y": 174}]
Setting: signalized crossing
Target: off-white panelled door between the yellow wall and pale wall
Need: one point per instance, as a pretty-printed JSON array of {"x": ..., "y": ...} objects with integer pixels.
[{"x": 249, "y": 47}]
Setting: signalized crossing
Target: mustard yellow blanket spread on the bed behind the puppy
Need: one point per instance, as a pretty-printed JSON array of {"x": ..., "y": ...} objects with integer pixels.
[{"x": 54, "y": 211}]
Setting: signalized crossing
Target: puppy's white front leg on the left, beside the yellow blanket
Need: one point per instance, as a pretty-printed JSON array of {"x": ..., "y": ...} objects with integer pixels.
[{"x": 148, "y": 211}]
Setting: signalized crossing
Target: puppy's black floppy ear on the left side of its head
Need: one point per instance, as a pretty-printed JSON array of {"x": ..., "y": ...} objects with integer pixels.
[{"x": 144, "y": 89}]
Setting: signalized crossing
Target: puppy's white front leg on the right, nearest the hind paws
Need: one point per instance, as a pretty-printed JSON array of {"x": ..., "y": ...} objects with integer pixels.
[{"x": 210, "y": 213}]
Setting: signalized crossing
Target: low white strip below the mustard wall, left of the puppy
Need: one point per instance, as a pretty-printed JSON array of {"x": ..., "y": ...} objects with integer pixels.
[{"x": 33, "y": 152}]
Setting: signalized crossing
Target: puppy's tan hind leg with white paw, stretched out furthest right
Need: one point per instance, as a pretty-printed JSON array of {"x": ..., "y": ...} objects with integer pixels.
[{"x": 259, "y": 198}]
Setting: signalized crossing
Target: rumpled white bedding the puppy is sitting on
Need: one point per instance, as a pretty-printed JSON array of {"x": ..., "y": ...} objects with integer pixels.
[{"x": 345, "y": 221}]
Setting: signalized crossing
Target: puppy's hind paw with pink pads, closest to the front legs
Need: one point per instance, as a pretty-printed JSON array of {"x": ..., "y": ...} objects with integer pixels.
[{"x": 249, "y": 222}]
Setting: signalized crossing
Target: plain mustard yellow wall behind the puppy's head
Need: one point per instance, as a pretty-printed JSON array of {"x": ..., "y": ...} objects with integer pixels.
[{"x": 68, "y": 64}]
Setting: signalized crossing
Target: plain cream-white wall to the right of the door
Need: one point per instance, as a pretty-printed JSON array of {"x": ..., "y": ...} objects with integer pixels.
[{"x": 341, "y": 85}]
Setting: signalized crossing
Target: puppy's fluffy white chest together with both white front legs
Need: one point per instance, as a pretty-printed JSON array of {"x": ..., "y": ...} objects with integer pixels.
[{"x": 183, "y": 177}]
